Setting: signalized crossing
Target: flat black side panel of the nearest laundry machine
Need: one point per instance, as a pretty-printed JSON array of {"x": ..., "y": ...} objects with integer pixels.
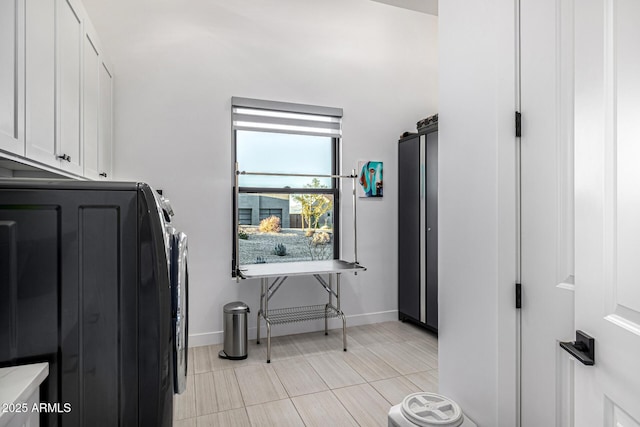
[{"x": 78, "y": 268}]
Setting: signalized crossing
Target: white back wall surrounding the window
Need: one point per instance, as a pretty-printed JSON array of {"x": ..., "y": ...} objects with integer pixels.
[{"x": 177, "y": 65}]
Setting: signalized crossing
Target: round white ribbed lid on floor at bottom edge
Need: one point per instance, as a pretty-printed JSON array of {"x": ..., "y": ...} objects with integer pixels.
[{"x": 431, "y": 409}]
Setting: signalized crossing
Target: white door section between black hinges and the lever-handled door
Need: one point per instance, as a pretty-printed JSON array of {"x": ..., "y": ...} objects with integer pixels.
[{"x": 547, "y": 256}]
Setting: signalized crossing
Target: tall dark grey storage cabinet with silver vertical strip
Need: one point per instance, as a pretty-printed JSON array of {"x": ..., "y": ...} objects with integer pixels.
[{"x": 418, "y": 228}]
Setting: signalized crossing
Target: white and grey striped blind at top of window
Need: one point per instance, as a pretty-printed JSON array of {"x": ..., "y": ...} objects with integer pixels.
[{"x": 284, "y": 117}]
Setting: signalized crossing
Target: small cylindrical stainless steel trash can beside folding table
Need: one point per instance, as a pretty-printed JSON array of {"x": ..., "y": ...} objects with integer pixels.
[{"x": 235, "y": 331}]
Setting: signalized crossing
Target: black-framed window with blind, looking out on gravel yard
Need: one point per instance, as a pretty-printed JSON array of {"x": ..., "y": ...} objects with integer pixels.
[{"x": 287, "y": 199}]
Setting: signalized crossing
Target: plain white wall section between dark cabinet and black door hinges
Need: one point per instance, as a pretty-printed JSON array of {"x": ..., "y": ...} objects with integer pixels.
[{"x": 477, "y": 209}]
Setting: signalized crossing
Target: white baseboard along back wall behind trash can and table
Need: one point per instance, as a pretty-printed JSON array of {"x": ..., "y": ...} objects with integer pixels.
[{"x": 217, "y": 337}]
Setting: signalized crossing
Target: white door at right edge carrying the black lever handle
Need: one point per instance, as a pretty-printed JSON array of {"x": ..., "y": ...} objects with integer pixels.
[{"x": 607, "y": 210}]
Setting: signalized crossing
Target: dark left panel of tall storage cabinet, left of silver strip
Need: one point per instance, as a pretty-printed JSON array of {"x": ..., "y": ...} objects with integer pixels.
[{"x": 409, "y": 192}]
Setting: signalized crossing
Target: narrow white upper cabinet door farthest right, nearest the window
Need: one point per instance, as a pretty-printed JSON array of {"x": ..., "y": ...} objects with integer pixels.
[{"x": 105, "y": 124}]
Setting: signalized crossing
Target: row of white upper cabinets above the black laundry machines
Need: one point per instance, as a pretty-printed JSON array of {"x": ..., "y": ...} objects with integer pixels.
[{"x": 55, "y": 89}]
